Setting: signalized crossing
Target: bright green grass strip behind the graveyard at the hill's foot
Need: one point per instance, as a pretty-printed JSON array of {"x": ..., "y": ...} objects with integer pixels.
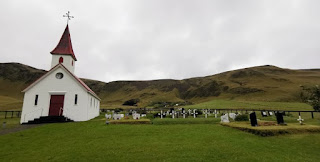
[{"x": 234, "y": 104}]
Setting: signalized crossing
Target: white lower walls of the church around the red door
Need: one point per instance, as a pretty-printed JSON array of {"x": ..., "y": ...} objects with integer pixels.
[{"x": 51, "y": 85}]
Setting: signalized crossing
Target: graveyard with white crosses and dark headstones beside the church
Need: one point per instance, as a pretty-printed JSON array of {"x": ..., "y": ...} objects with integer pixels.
[{"x": 263, "y": 123}]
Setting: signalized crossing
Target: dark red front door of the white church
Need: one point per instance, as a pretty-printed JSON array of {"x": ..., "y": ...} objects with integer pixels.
[{"x": 56, "y": 105}]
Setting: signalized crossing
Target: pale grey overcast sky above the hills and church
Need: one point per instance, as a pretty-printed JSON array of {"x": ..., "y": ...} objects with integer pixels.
[{"x": 160, "y": 39}]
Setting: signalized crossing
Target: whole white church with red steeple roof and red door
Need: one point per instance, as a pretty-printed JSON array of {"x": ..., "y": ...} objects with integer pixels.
[{"x": 59, "y": 94}]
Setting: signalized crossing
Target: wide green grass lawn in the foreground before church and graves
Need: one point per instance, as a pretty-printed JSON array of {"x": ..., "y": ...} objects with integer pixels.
[{"x": 95, "y": 141}]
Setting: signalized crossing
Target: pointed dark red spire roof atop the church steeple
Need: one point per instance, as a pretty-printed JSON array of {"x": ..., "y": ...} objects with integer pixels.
[{"x": 64, "y": 46}]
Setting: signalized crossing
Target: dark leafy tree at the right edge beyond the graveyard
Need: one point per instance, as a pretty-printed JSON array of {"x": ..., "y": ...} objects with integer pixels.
[{"x": 311, "y": 95}]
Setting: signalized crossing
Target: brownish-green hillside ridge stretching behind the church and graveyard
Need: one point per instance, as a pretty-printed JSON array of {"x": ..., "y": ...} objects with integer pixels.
[{"x": 262, "y": 83}]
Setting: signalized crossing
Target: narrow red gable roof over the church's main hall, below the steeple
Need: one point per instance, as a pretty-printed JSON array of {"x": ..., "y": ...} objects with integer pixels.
[{"x": 75, "y": 77}]
